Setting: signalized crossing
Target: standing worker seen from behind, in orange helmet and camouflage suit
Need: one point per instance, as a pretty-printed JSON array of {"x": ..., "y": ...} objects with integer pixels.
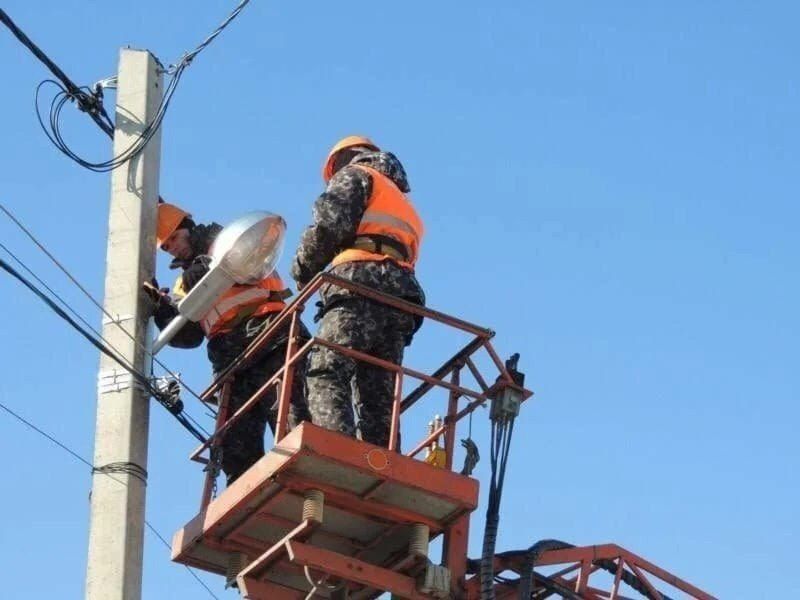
[{"x": 366, "y": 228}]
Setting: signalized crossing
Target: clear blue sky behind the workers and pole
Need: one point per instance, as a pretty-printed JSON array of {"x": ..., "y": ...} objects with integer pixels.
[{"x": 610, "y": 186}]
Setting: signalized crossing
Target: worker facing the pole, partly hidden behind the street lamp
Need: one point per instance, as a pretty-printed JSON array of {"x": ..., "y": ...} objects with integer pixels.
[{"x": 230, "y": 329}]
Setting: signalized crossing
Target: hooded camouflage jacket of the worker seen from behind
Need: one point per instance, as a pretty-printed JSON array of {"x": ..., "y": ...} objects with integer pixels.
[{"x": 336, "y": 216}]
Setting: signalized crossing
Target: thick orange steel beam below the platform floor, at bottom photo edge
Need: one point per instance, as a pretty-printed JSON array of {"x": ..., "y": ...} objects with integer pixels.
[{"x": 353, "y": 569}]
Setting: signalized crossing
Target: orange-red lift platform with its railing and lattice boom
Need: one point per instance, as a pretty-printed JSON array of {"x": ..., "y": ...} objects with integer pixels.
[{"x": 326, "y": 515}]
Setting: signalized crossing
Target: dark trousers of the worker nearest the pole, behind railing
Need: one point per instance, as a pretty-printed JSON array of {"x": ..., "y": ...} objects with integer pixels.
[{"x": 243, "y": 444}]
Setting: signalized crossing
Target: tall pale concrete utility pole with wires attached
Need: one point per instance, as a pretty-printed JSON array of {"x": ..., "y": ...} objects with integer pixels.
[{"x": 116, "y": 530}]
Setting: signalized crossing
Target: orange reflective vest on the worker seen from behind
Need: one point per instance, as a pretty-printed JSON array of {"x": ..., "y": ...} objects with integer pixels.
[{"x": 389, "y": 214}]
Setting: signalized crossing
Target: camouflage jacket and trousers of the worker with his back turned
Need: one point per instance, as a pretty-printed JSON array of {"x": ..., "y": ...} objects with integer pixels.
[{"x": 349, "y": 319}]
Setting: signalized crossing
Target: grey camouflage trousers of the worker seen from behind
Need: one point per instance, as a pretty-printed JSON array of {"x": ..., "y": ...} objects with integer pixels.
[{"x": 338, "y": 384}]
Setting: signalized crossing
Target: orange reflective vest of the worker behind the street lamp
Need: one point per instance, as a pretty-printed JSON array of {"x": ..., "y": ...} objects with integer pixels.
[{"x": 266, "y": 296}]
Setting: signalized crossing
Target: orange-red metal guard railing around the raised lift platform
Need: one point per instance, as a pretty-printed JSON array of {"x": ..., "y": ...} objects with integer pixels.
[{"x": 451, "y": 368}]
